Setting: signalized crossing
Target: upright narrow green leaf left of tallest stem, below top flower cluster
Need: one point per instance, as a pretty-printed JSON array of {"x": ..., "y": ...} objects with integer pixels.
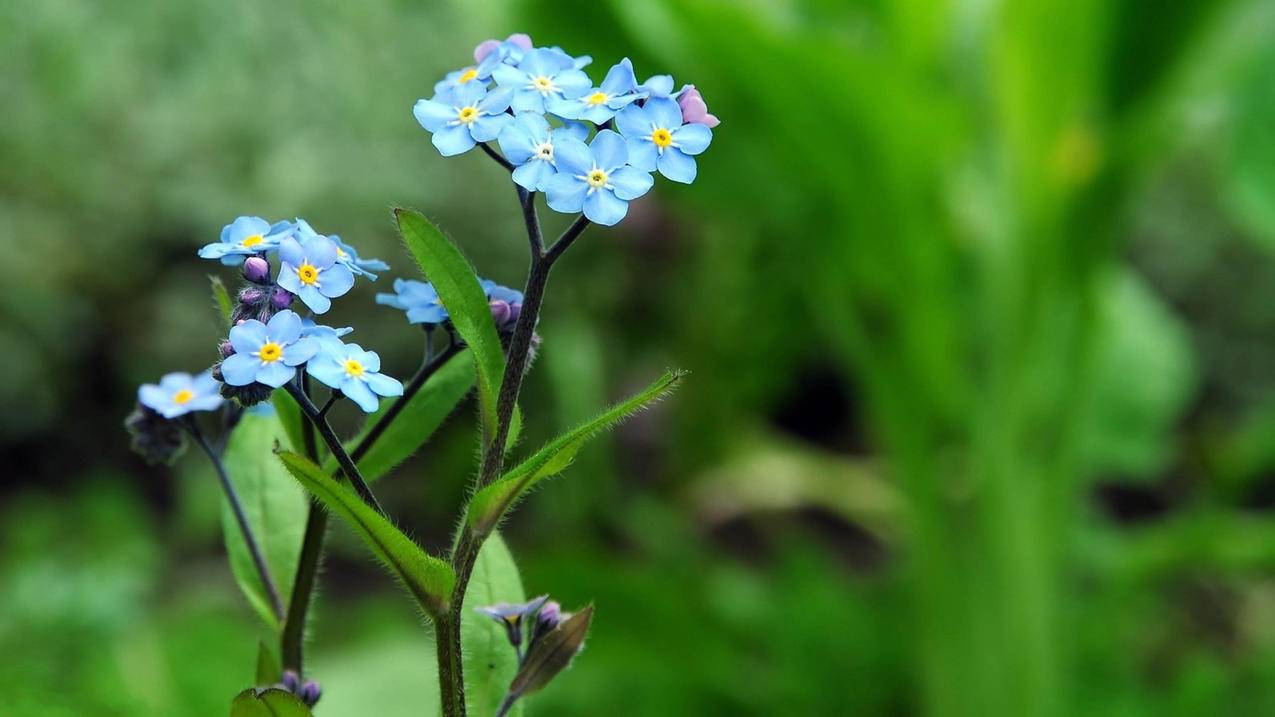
[{"x": 457, "y": 284}]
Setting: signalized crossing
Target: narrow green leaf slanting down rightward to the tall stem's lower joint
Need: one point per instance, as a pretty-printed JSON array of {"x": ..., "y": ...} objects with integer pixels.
[{"x": 429, "y": 580}]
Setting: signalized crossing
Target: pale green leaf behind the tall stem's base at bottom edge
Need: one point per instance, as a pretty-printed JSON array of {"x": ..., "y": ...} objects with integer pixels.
[{"x": 490, "y": 660}]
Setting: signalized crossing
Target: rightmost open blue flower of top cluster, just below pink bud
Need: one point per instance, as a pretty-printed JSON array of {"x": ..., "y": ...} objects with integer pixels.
[{"x": 659, "y": 138}]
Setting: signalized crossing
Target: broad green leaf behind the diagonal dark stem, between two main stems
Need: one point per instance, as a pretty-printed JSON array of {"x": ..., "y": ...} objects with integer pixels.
[{"x": 423, "y": 415}]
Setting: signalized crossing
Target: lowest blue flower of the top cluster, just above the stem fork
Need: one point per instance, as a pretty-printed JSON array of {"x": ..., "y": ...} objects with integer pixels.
[{"x": 596, "y": 179}]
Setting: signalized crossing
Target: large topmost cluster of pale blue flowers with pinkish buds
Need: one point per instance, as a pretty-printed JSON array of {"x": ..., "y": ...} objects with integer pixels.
[{"x": 539, "y": 104}]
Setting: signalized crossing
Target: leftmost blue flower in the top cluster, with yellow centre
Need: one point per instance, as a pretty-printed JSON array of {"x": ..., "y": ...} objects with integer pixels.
[{"x": 465, "y": 117}]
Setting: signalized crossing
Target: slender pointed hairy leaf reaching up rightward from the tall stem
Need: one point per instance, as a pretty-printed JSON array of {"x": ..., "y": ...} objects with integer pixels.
[{"x": 492, "y": 503}]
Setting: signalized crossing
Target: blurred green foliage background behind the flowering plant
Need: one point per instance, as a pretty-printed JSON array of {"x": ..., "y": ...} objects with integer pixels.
[{"x": 980, "y": 302}]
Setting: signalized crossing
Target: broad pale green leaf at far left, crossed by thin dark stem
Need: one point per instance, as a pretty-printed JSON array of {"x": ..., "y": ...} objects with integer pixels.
[{"x": 276, "y": 510}]
